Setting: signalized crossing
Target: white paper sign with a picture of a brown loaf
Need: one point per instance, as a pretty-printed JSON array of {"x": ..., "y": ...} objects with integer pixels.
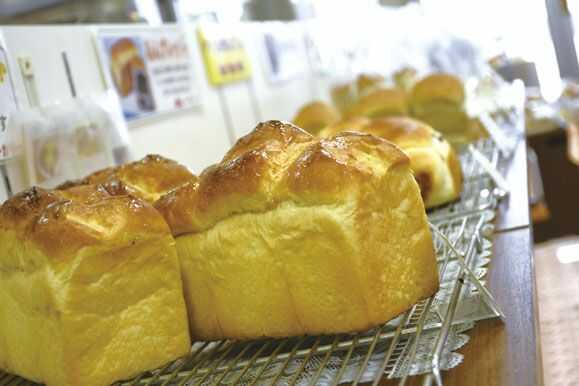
[{"x": 150, "y": 69}]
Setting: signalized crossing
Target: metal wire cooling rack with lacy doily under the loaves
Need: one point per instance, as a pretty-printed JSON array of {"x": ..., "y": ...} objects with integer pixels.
[{"x": 421, "y": 342}]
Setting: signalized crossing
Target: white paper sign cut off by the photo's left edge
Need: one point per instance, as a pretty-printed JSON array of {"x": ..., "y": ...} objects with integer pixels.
[{"x": 9, "y": 144}]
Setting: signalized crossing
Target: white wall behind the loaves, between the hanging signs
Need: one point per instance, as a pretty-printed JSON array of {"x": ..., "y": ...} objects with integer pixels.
[{"x": 196, "y": 137}]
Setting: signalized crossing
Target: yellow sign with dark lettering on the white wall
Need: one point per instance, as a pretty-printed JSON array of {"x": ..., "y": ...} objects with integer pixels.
[{"x": 225, "y": 58}]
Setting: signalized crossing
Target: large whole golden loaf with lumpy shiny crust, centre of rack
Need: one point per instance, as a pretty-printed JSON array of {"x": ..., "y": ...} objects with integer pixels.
[{"x": 292, "y": 235}]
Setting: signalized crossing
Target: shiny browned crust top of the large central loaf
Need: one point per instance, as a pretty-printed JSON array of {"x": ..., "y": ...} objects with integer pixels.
[{"x": 274, "y": 163}]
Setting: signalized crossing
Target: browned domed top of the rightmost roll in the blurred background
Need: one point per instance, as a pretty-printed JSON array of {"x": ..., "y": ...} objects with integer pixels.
[{"x": 441, "y": 87}]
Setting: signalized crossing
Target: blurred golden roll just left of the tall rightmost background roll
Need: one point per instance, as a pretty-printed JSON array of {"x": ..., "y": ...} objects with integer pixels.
[{"x": 380, "y": 103}]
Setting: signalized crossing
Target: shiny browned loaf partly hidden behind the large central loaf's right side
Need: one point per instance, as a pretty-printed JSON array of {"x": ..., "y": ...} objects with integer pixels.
[{"x": 434, "y": 162}]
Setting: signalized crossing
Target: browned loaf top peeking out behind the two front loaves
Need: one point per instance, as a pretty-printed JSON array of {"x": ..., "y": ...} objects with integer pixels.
[{"x": 147, "y": 179}]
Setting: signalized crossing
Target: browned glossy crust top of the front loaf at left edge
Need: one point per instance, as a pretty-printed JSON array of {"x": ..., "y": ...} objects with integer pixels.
[{"x": 61, "y": 222}]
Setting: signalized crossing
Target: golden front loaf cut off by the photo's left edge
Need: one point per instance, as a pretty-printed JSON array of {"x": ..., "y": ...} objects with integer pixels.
[{"x": 90, "y": 288}]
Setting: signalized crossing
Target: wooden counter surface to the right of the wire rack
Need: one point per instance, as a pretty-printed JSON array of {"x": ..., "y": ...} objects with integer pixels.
[{"x": 505, "y": 354}]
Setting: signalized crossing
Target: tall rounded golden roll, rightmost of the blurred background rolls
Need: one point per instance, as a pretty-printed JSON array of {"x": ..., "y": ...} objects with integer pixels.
[{"x": 439, "y": 101}]
